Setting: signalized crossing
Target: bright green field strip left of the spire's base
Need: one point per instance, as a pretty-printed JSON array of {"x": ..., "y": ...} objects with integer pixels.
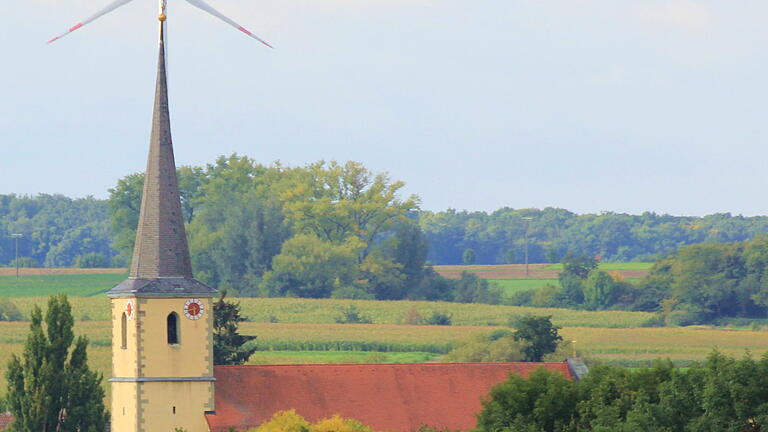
[{"x": 75, "y": 285}]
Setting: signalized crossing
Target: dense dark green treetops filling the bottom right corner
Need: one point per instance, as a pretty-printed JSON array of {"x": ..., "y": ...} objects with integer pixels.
[{"x": 720, "y": 395}]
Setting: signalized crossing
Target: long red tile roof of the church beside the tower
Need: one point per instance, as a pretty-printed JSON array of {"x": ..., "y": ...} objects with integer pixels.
[{"x": 391, "y": 397}]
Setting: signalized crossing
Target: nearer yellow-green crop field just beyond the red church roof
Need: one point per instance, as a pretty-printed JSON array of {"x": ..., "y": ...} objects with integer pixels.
[{"x": 350, "y": 343}]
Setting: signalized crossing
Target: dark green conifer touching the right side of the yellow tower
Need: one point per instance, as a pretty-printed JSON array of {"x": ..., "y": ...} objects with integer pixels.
[{"x": 228, "y": 343}]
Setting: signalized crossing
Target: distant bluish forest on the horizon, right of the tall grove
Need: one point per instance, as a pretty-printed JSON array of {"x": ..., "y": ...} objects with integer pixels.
[{"x": 500, "y": 237}]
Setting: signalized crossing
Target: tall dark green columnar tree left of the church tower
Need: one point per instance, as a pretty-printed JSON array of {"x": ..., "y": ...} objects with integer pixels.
[{"x": 51, "y": 387}]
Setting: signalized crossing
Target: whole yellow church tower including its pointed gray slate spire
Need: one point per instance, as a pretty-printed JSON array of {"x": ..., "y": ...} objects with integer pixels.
[{"x": 162, "y": 318}]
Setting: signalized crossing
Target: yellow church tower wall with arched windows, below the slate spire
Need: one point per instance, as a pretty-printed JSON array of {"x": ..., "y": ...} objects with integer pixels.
[{"x": 152, "y": 379}]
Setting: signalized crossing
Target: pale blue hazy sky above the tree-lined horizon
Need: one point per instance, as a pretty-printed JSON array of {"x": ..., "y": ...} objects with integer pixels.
[{"x": 588, "y": 105}]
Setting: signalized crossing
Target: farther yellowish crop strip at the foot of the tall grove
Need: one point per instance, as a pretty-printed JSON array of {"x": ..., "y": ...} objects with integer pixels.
[{"x": 292, "y": 310}]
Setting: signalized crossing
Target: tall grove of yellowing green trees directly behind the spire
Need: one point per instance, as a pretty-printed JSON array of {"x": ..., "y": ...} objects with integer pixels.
[{"x": 322, "y": 230}]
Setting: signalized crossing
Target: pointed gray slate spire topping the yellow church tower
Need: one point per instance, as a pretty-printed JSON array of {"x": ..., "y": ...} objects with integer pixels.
[{"x": 161, "y": 263}]
